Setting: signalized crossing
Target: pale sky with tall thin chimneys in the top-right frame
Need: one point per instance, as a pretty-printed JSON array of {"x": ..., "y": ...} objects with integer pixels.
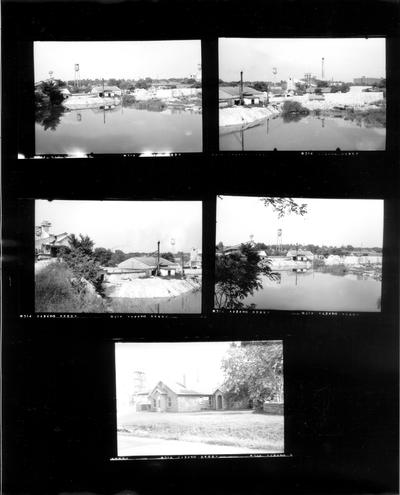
[{"x": 345, "y": 58}]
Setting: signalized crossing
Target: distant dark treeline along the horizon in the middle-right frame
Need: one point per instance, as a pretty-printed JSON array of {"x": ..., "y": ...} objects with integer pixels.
[{"x": 272, "y": 250}]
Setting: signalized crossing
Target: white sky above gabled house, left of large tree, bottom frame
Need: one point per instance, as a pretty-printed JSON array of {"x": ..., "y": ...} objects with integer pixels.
[{"x": 200, "y": 362}]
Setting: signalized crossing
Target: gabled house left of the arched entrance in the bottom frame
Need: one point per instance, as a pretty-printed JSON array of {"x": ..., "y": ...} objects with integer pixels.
[{"x": 177, "y": 397}]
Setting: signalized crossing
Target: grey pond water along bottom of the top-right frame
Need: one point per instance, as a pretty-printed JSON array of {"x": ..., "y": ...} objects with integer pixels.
[{"x": 309, "y": 133}]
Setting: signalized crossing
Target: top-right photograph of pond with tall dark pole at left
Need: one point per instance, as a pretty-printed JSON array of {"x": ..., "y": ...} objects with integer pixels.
[{"x": 291, "y": 94}]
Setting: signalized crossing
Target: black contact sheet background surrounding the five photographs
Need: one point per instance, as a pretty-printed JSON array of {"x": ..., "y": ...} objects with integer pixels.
[{"x": 341, "y": 371}]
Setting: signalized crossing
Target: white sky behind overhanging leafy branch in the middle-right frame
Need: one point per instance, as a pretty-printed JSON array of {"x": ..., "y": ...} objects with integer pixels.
[{"x": 329, "y": 222}]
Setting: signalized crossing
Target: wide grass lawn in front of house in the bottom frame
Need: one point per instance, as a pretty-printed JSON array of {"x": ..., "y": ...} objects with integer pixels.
[{"x": 234, "y": 428}]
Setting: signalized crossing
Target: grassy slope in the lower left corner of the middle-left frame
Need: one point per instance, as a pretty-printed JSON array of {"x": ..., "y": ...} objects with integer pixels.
[{"x": 55, "y": 292}]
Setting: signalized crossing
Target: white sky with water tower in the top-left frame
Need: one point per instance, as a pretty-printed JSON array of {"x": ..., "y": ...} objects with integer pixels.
[{"x": 116, "y": 59}]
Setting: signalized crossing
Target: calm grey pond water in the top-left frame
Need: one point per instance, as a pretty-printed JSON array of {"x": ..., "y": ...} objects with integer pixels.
[{"x": 124, "y": 129}]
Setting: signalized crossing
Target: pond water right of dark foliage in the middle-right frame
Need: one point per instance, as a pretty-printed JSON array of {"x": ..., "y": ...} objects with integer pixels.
[{"x": 318, "y": 291}]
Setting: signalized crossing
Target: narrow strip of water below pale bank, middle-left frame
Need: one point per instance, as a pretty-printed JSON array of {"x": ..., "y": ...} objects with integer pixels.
[{"x": 190, "y": 302}]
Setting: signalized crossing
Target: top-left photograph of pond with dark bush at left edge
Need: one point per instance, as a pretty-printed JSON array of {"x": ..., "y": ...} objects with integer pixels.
[{"x": 117, "y": 97}]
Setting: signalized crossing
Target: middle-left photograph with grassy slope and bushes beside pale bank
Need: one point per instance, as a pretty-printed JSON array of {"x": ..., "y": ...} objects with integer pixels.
[{"x": 118, "y": 256}]
